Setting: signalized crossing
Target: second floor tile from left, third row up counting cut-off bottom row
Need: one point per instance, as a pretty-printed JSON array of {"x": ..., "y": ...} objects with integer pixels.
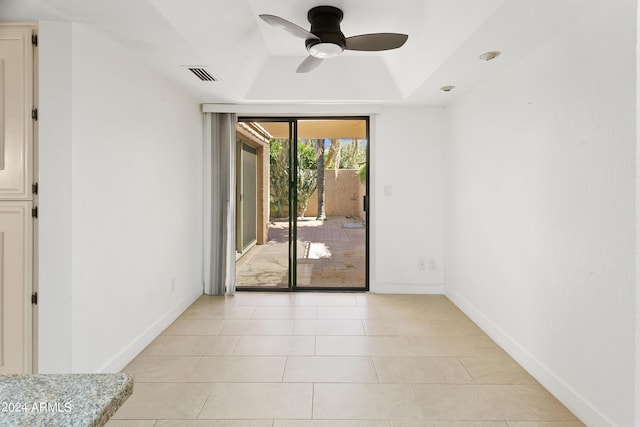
[{"x": 238, "y": 369}]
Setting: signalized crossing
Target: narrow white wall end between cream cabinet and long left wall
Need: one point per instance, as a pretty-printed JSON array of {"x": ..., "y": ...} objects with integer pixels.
[{"x": 54, "y": 239}]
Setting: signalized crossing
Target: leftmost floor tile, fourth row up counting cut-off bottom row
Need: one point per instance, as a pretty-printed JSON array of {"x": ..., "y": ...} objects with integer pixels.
[{"x": 189, "y": 345}]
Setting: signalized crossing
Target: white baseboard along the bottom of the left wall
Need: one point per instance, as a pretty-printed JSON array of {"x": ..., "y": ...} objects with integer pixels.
[{"x": 144, "y": 339}]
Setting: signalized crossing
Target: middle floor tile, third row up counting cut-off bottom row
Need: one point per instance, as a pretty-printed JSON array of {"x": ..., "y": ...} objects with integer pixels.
[{"x": 330, "y": 369}]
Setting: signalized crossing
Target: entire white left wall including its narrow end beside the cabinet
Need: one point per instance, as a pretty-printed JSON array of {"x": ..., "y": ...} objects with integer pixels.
[{"x": 131, "y": 205}]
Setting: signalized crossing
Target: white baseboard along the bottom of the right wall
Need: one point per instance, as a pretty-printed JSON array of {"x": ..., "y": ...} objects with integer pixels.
[{"x": 576, "y": 403}]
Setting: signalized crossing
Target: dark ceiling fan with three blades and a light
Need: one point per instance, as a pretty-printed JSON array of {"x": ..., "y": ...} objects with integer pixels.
[{"x": 325, "y": 40}]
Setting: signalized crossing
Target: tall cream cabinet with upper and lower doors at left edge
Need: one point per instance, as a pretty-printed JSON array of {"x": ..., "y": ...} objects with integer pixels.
[{"x": 17, "y": 198}]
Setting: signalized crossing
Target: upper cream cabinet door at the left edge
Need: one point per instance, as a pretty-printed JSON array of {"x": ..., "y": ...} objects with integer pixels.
[{"x": 16, "y": 126}]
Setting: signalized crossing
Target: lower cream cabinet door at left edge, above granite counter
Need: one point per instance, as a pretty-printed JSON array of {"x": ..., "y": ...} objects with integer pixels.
[{"x": 15, "y": 287}]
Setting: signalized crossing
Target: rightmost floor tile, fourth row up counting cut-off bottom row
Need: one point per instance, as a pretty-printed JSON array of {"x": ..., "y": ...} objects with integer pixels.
[{"x": 452, "y": 346}]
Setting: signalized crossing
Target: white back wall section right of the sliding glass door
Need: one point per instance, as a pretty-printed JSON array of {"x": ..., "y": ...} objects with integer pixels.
[{"x": 407, "y": 225}]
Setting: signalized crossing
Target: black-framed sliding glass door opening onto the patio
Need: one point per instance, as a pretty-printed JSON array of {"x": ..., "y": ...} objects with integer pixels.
[{"x": 317, "y": 196}]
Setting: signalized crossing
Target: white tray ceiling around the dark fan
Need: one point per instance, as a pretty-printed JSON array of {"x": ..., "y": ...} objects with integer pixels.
[{"x": 255, "y": 62}]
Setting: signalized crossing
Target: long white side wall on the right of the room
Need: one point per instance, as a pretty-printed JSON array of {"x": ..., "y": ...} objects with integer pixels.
[{"x": 540, "y": 213}]
